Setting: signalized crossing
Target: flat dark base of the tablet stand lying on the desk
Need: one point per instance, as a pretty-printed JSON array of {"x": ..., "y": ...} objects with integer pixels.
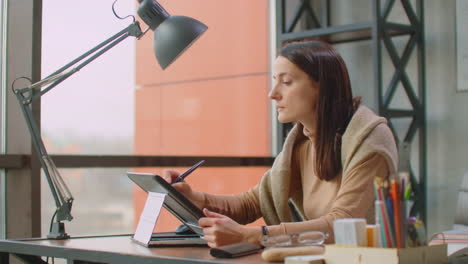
[{"x": 172, "y": 239}]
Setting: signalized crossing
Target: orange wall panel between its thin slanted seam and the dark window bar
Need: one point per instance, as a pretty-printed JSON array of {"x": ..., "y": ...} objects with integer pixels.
[{"x": 212, "y": 117}]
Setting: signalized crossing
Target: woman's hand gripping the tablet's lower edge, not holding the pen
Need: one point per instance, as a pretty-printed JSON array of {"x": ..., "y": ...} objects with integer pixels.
[{"x": 221, "y": 230}]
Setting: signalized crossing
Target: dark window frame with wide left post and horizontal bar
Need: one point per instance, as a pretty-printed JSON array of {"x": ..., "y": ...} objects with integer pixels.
[{"x": 17, "y": 157}]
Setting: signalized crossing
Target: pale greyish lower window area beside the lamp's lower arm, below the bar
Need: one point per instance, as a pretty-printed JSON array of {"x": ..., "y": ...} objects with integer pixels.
[{"x": 103, "y": 202}]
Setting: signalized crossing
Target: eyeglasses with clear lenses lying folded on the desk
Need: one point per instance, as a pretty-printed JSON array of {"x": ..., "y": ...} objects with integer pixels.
[{"x": 310, "y": 238}]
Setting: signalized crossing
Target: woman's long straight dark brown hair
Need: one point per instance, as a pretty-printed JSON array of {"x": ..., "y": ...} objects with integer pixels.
[{"x": 335, "y": 103}]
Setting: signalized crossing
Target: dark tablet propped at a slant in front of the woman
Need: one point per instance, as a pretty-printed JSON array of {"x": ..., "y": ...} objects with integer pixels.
[{"x": 175, "y": 202}]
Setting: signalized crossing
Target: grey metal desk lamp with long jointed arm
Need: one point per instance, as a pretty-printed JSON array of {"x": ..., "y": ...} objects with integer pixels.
[{"x": 172, "y": 36}]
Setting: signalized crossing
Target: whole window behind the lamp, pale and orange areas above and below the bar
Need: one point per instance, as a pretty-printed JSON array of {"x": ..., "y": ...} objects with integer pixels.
[{"x": 211, "y": 102}]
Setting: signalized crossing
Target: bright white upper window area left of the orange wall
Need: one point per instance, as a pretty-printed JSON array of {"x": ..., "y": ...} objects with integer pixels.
[{"x": 92, "y": 111}]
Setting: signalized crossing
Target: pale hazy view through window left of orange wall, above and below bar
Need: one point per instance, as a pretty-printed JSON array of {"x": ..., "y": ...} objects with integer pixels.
[{"x": 92, "y": 112}]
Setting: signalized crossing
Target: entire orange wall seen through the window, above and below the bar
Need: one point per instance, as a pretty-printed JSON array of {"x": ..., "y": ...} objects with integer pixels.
[{"x": 211, "y": 101}]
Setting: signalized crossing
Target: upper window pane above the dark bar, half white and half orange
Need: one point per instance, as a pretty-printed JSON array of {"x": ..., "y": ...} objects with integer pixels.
[{"x": 215, "y": 94}]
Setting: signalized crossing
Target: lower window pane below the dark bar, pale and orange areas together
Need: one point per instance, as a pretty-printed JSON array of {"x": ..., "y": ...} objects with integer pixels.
[{"x": 107, "y": 202}]
